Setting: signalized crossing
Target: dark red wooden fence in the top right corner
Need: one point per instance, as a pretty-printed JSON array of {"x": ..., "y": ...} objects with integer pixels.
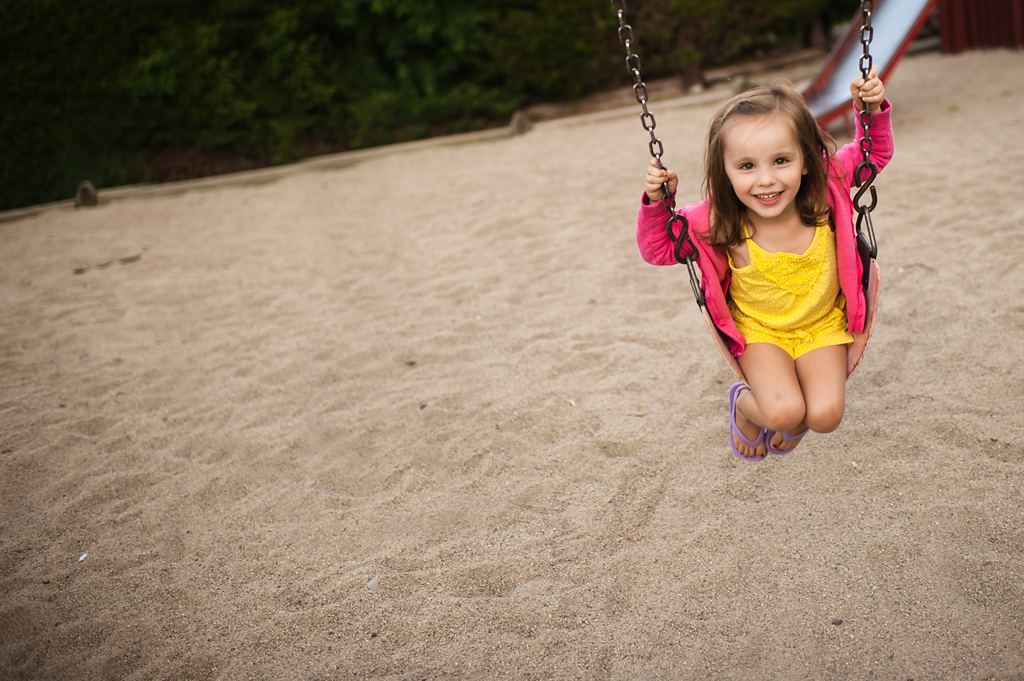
[{"x": 973, "y": 24}]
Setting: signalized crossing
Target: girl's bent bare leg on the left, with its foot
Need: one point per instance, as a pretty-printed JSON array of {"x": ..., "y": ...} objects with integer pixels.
[{"x": 775, "y": 401}]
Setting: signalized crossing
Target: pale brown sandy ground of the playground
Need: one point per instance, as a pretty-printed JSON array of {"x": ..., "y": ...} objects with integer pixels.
[{"x": 433, "y": 417}]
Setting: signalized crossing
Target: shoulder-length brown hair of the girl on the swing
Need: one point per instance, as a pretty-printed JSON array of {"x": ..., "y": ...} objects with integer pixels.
[{"x": 817, "y": 146}]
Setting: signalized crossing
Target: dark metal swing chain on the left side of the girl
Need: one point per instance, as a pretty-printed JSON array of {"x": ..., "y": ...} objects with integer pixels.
[{"x": 657, "y": 152}]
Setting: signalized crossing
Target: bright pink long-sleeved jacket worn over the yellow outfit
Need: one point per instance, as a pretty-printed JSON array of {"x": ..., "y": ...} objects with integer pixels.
[{"x": 657, "y": 248}]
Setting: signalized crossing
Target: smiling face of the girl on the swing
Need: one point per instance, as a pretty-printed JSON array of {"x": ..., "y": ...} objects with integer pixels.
[{"x": 765, "y": 167}]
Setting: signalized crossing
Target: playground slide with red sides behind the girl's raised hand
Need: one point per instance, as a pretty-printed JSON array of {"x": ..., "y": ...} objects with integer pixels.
[{"x": 895, "y": 24}]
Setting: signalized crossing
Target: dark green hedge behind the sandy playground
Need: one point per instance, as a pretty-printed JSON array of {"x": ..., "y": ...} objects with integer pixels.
[{"x": 124, "y": 92}]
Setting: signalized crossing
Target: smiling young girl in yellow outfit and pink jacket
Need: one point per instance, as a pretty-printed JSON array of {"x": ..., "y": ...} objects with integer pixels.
[{"x": 777, "y": 245}]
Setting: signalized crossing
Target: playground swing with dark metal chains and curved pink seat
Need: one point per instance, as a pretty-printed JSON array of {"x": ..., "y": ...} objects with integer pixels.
[{"x": 867, "y": 245}]
